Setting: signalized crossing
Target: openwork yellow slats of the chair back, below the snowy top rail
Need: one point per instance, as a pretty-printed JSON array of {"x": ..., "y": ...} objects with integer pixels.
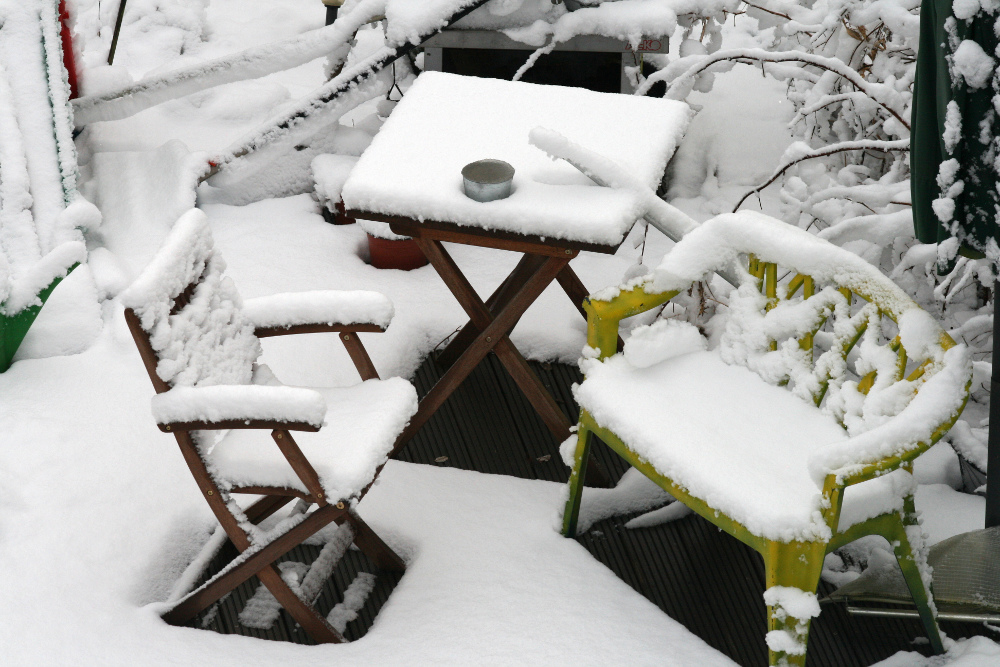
[{"x": 827, "y": 343}]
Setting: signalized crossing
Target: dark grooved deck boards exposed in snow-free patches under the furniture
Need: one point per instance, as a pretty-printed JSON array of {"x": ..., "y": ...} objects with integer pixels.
[{"x": 700, "y": 576}]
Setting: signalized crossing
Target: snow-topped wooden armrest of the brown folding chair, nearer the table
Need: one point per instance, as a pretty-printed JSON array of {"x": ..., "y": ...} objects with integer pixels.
[{"x": 318, "y": 311}]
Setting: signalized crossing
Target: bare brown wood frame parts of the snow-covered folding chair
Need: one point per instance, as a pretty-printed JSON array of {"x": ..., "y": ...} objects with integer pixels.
[{"x": 260, "y": 560}]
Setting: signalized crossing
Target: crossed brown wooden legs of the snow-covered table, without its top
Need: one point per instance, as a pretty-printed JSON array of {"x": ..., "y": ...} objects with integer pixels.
[{"x": 488, "y": 330}]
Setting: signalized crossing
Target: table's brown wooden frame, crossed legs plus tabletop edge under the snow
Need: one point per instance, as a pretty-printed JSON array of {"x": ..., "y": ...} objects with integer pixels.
[{"x": 490, "y": 323}]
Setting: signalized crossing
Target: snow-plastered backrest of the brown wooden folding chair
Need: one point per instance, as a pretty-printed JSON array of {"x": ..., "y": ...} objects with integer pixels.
[{"x": 191, "y": 313}]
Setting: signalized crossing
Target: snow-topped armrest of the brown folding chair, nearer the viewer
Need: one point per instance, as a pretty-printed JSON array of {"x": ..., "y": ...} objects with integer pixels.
[{"x": 239, "y": 406}]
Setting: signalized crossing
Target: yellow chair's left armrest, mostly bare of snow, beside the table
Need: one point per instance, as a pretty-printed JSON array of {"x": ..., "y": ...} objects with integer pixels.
[{"x": 606, "y": 308}]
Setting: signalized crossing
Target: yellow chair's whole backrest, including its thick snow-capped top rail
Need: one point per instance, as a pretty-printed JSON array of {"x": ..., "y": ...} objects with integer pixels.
[{"x": 815, "y": 318}]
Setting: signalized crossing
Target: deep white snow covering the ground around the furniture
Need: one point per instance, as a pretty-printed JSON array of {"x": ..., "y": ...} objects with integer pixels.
[{"x": 98, "y": 514}]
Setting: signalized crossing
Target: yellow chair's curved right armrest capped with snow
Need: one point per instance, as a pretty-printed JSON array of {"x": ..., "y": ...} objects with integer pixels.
[{"x": 932, "y": 411}]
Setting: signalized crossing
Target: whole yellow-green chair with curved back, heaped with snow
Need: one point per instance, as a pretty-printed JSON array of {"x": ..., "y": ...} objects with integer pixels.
[{"x": 797, "y": 433}]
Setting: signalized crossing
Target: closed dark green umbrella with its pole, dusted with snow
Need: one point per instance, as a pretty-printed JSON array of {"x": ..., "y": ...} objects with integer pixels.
[{"x": 955, "y": 155}]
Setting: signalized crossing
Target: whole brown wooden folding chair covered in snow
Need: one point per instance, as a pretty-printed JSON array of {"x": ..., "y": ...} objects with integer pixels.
[{"x": 200, "y": 344}]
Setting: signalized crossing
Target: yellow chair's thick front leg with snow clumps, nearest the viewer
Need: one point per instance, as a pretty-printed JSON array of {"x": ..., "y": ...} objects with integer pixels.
[{"x": 795, "y": 565}]
